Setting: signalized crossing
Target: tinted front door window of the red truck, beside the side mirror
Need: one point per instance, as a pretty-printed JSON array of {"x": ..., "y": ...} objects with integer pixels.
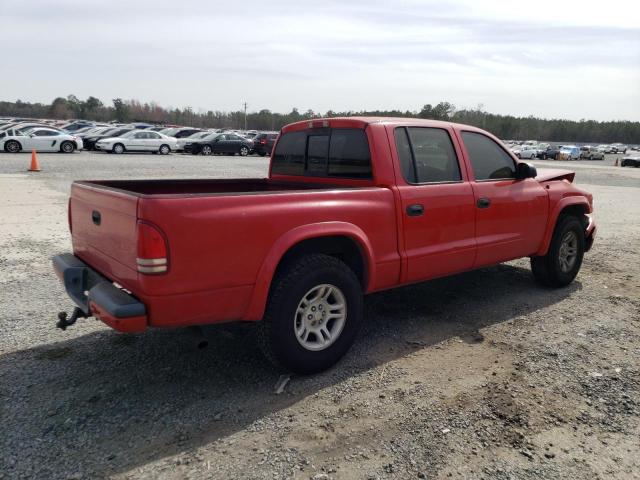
[{"x": 488, "y": 159}]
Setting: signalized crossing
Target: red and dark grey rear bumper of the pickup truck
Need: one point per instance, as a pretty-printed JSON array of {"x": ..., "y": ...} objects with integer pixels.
[{"x": 97, "y": 296}]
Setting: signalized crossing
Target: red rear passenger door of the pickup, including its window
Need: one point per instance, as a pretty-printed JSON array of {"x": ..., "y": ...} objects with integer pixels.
[{"x": 438, "y": 205}]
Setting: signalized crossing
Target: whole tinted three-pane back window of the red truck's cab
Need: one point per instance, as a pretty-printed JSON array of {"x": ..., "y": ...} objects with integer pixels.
[{"x": 327, "y": 152}]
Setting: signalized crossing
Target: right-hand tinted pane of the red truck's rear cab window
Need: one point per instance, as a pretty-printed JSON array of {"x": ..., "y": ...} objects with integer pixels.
[{"x": 349, "y": 154}]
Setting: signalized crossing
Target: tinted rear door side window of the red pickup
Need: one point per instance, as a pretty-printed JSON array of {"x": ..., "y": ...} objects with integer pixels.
[{"x": 427, "y": 155}]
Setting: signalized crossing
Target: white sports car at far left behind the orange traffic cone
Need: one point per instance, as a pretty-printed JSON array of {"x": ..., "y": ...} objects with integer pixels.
[{"x": 40, "y": 139}]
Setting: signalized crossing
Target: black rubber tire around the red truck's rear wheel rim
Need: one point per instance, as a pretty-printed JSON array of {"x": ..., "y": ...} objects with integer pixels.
[{"x": 292, "y": 284}]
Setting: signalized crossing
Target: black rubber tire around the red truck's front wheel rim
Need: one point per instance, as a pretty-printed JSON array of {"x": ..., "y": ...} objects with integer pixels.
[{"x": 547, "y": 269}]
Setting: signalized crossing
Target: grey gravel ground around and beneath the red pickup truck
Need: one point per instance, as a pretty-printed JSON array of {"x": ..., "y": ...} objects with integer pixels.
[{"x": 481, "y": 375}]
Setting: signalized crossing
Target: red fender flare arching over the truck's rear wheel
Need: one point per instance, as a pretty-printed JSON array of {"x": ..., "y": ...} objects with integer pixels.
[{"x": 258, "y": 301}]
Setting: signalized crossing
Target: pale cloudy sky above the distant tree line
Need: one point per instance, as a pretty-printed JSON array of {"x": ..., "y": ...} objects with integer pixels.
[{"x": 546, "y": 58}]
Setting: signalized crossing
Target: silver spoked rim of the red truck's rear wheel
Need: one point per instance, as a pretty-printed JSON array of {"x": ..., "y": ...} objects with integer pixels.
[{"x": 320, "y": 317}]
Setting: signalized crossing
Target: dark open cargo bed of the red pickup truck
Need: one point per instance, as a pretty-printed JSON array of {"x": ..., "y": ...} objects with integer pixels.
[{"x": 205, "y": 186}]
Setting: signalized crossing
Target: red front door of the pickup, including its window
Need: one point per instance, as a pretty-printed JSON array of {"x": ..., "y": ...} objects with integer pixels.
[{"x": 511, "y": 214}]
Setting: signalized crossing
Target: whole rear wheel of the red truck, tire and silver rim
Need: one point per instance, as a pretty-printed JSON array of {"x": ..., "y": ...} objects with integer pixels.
[{"x": 313, "y": 314}]
